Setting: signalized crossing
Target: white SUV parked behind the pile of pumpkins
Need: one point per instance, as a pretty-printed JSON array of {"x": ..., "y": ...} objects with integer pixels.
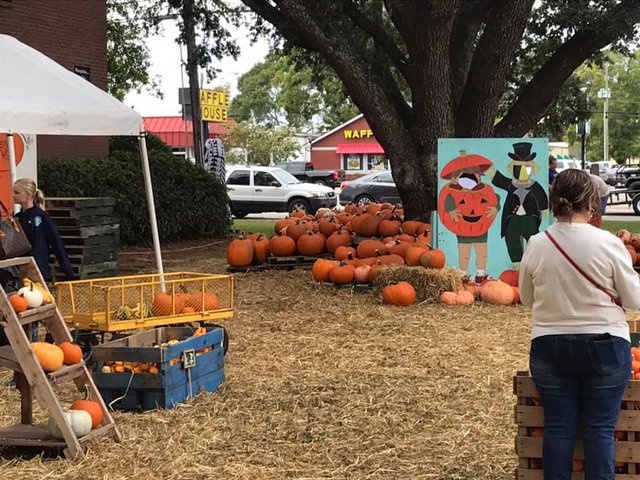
[{"x": 256, "y": 189}]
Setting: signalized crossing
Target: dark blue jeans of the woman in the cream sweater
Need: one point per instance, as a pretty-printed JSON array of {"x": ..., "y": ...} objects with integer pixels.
[{"x": 581, "y": 379}]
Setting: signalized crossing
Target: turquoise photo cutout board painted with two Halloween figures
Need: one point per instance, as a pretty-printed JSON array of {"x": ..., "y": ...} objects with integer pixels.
[{"x": 492, "y": 197}]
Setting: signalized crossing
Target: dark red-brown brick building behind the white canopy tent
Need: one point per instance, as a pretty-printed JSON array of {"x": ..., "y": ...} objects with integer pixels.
[{"x": 74, "y": 34}]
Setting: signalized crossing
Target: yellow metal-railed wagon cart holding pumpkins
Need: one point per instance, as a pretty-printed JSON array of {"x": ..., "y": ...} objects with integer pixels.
[{"x": 118, "y": 304}]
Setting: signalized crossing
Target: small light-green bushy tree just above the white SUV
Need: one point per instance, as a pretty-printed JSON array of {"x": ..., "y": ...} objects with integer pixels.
[{"x": 259, "y": 144}]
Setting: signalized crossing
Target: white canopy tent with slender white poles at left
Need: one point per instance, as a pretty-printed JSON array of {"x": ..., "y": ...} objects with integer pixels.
[{"x": 39, "y": 96}]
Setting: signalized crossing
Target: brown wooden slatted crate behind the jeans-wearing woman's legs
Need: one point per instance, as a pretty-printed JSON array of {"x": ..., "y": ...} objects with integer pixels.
[{"x": 529, "y": 418}]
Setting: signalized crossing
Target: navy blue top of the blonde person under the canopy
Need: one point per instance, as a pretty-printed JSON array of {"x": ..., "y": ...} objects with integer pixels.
[{"x": 44, "y": 238}]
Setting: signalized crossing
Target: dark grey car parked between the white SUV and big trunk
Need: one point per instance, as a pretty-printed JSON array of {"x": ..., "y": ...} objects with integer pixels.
[{"x": 373, "y": 187}]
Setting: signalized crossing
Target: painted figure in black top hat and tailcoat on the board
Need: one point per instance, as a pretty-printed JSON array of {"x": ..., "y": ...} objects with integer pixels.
[{"x": 525, "y": 203}]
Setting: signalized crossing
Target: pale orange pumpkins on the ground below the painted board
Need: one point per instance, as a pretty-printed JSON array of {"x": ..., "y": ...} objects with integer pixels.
[{"x": 504, "y": 291}]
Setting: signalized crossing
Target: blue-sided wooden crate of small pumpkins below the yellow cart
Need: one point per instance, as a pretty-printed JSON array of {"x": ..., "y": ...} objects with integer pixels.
[{"x": 173, "y": 383}]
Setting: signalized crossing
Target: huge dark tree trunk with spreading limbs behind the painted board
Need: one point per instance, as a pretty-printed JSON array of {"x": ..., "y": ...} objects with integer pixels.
[{"x": 454, "y": 57}]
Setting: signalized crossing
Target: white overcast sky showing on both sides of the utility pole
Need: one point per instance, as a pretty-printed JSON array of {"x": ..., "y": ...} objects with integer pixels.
[{"x": 165, "y": 63}]
